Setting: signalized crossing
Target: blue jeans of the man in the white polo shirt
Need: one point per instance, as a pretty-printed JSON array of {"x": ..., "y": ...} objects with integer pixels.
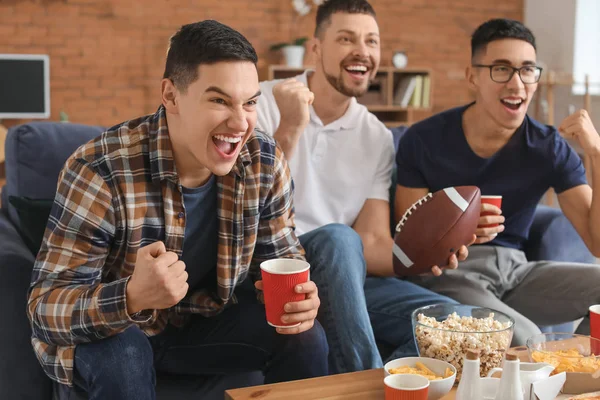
[{"x": 366, "y": 319}]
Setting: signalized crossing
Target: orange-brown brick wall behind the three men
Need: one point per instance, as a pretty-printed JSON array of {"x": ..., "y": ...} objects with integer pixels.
[{"x": 107, "y": 56}]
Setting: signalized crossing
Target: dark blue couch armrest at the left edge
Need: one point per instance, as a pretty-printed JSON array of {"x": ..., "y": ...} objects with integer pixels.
[{"x": 21, "y": 376}]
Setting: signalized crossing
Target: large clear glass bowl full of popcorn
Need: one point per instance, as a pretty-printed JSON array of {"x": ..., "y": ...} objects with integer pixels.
[{"x": 446, "y": 331}]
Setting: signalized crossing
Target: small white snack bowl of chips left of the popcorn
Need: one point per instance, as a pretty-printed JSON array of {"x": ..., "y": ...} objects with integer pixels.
[{"x": 438, "y": 388}]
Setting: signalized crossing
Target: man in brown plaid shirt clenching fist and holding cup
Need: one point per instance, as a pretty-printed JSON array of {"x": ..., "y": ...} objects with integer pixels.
[{"x": 157, "y": 232}]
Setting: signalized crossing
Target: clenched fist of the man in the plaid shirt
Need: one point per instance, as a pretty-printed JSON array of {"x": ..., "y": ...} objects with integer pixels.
[{"x": 159, "y": 280}]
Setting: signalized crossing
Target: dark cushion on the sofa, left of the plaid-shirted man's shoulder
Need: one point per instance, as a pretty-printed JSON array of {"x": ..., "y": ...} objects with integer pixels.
[{"x": 33, "y": 218}]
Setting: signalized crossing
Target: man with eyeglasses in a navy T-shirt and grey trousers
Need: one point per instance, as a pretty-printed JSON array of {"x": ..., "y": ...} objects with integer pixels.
[{"x": 493, "y": 144}]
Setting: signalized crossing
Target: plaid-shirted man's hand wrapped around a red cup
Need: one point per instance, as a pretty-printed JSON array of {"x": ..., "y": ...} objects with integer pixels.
[{"x": 304, "y": 311}]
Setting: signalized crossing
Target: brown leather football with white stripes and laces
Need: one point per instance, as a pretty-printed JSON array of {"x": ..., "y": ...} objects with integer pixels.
[{"x": 434, "y": 228}]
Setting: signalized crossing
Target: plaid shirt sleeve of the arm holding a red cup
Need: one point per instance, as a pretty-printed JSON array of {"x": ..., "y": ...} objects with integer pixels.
[{"x": 276, "y": 237}]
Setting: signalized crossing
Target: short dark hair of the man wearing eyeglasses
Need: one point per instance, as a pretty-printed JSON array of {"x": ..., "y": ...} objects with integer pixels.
[{"x": 497, "y": 29}]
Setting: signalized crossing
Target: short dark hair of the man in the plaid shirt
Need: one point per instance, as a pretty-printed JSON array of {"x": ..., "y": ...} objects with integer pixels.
[{"x": 205, "y": 42}]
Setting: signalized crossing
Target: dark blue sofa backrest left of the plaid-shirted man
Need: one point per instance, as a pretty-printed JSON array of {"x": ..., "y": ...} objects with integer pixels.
[{"x": 35, "y": 154}]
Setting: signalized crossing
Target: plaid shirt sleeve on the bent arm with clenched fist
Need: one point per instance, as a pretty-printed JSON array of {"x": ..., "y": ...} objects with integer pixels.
[{"x": 67, "y": 303}]
